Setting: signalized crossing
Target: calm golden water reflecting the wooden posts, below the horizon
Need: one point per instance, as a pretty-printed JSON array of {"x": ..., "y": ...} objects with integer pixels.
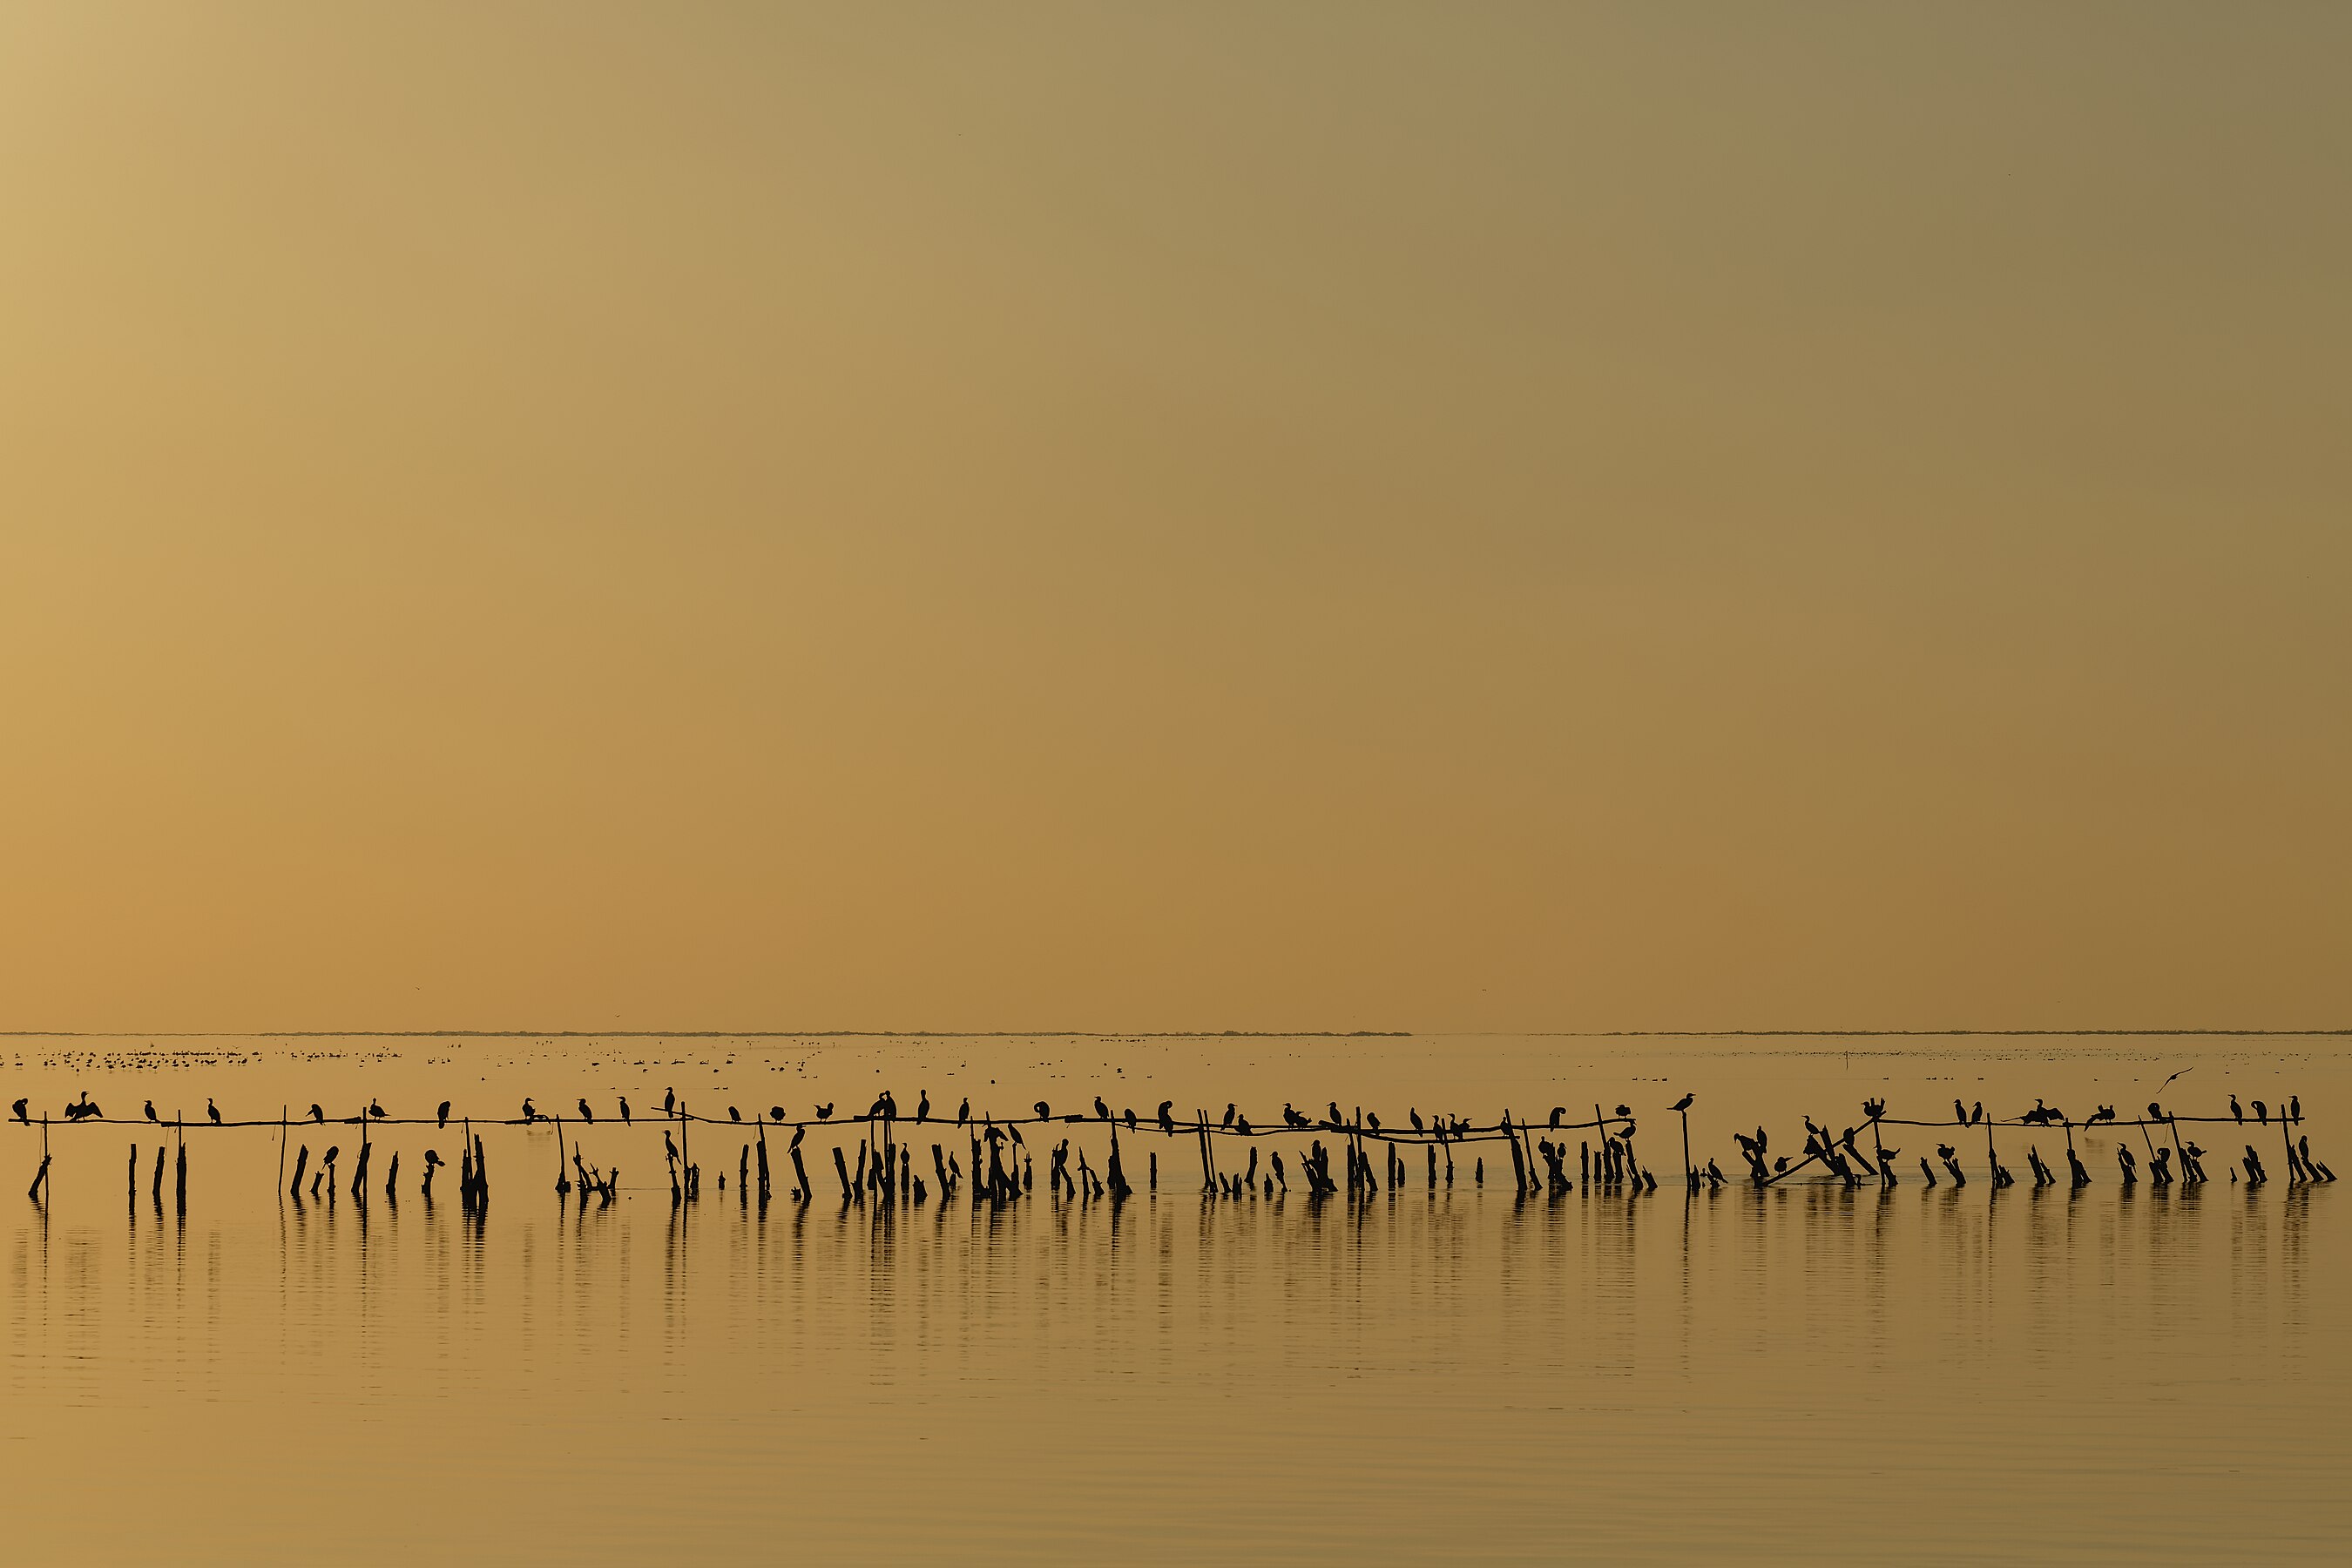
[{"x": 1923, "y": 1374}]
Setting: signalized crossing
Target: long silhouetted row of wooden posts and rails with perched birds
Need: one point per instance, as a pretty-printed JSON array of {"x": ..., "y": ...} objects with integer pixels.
[{"x": 886, "y": 1162}]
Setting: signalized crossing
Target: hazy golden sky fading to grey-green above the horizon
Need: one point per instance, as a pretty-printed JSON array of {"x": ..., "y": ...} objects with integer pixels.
[{"x": 1323, "y": 516}]
